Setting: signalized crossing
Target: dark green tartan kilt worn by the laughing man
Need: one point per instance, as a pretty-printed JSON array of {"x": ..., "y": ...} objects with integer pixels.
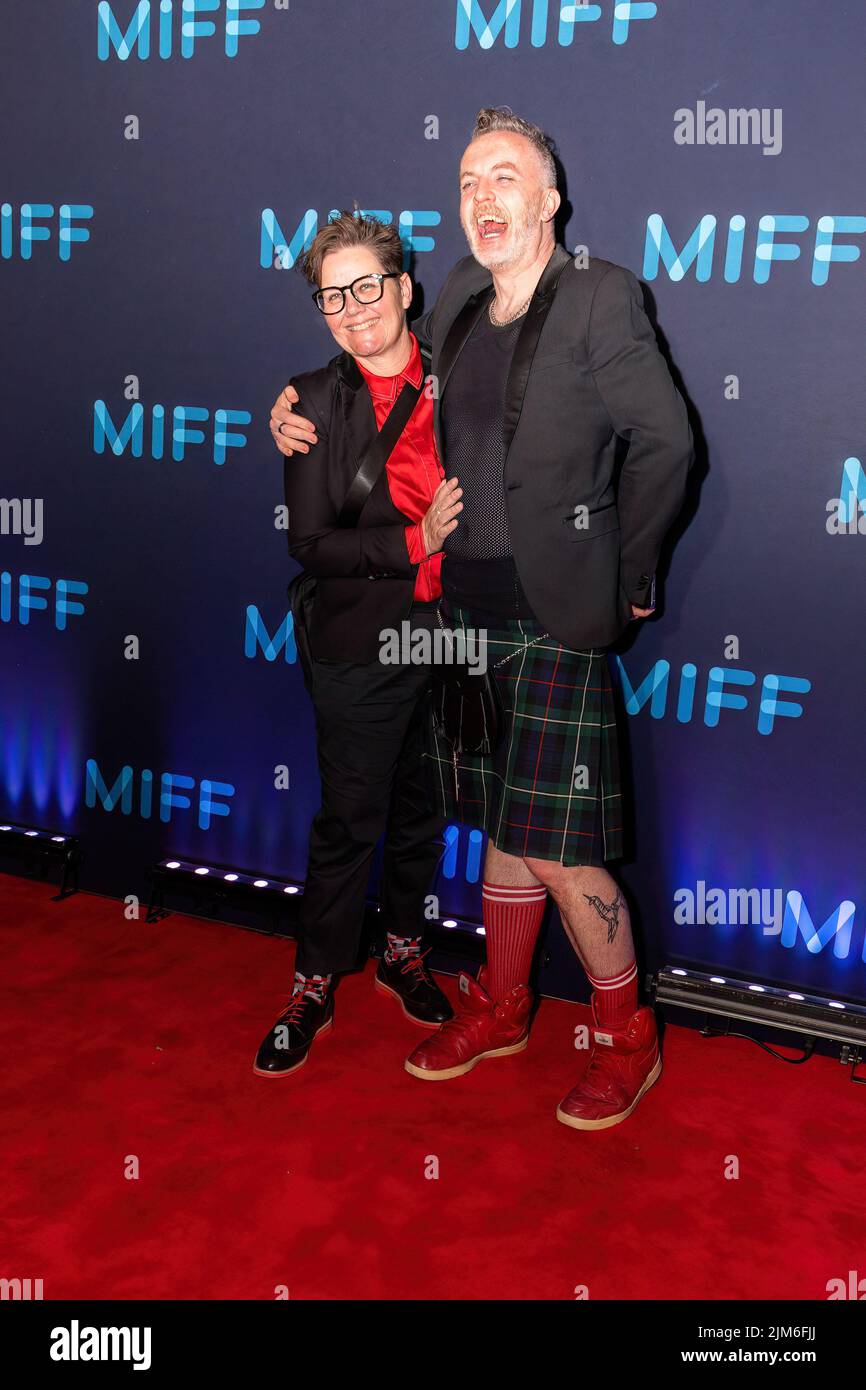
[{"x": 532, "y": 794}]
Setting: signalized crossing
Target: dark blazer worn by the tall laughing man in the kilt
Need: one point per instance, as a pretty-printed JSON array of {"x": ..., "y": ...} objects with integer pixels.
[{"x": 586, "y": 372}]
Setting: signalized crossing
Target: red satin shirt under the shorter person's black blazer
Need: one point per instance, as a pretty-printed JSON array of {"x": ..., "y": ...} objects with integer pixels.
[{"x": 414, "y": 472}]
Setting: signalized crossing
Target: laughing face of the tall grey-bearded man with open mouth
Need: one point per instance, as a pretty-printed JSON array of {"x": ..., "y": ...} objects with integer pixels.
[{"x": 504, "y": 199}]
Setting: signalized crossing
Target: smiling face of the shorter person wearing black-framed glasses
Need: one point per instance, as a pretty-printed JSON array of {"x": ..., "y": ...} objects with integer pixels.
[{"x": 366, "y": 330}]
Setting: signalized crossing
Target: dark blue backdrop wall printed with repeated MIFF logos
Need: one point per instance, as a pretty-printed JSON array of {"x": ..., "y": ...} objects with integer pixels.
[{"x": 163, "y": 167}]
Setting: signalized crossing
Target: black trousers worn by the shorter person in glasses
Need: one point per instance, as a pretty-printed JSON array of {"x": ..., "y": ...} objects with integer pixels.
[{"x": 372, "y": 725}]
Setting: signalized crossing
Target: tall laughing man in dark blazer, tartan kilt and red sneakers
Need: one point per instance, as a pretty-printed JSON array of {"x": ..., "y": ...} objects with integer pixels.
[{"x": 544, "y": 369}]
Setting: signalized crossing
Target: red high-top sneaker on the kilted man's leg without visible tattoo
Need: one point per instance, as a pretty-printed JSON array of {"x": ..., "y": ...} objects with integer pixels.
[{"x": 479, "y": 1029}]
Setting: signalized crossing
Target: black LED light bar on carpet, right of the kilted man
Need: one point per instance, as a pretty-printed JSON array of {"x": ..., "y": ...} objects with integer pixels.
[{"x": 811, "y": 1015}]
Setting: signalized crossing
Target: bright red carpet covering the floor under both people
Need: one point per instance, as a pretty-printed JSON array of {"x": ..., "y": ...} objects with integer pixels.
[{"x": 123, "y": 1039}]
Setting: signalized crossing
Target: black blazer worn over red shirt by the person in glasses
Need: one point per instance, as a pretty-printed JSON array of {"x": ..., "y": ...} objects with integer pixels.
[{"x": 366, "y": 582}]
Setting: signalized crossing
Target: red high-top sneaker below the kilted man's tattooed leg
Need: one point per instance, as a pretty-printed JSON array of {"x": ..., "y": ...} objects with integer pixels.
[{"x": 623, "y": 1064}]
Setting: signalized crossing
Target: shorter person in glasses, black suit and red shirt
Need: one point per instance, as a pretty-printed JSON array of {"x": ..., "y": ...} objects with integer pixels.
[{"x": 372, "y": 576}]
